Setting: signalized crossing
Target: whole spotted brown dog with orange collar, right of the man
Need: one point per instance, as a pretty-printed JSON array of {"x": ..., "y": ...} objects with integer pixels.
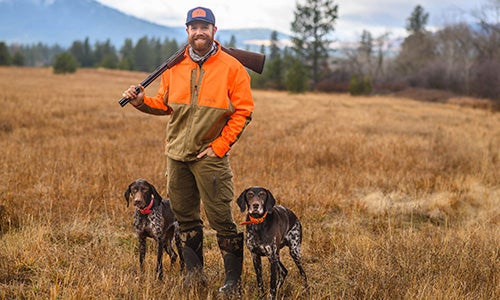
[{"x": 268, "y": 229}]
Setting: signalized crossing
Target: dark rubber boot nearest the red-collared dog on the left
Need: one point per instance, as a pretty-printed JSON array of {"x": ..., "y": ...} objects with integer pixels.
[{"x": 192, "y": 251}]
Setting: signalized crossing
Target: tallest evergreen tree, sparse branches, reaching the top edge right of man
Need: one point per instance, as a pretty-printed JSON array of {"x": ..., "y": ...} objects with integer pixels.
[{"x": 313, "y": 22}]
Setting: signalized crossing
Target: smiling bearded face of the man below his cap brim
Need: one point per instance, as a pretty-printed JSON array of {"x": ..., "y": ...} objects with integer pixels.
[{"x": 201, "y": 36}]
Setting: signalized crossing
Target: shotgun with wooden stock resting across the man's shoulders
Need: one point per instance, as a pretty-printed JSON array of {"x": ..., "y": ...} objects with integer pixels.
[{"x": 252, "y": 60}]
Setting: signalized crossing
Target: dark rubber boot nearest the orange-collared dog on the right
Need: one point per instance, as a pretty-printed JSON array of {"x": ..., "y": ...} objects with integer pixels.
[{"x": 231, "y": 248}]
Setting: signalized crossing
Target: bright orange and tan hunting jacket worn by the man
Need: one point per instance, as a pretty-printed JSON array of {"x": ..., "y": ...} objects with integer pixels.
[{"x": 210, "y": 106}]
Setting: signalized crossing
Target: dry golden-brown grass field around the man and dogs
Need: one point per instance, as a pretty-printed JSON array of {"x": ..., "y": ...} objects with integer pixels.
[{"x": 399, "y": 199}]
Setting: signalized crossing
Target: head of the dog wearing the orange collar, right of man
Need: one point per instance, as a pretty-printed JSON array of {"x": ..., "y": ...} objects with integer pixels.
[{"x": 257, "y": 200}]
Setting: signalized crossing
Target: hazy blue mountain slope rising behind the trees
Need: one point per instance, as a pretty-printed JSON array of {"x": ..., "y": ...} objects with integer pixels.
[{"x": 63, "y": 21}]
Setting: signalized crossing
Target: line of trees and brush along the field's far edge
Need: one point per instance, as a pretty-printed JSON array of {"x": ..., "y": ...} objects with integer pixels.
[{"x": 460, "y": 57}]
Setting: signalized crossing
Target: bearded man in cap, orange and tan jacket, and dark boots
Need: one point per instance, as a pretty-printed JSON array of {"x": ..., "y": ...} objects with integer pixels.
[{"x": 209, "y": 99}]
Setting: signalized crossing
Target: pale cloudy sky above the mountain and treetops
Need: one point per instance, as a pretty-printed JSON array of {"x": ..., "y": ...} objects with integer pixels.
[{"x": 378, "y": 17}]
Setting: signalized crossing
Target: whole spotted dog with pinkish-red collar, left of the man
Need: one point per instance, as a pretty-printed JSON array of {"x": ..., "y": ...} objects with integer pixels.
[{"x": 154, "y": 219}]
